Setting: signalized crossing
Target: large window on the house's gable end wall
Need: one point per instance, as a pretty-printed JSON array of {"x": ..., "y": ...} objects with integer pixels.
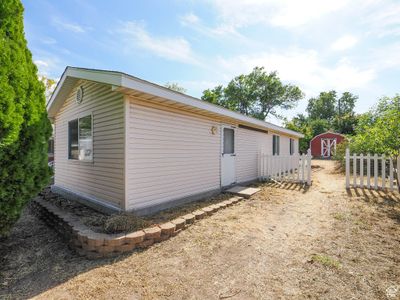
[{"x": 80, "y": 139}]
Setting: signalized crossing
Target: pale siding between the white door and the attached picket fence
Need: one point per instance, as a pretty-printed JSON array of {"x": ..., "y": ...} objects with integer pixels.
[{"x": 249, "y": 143}]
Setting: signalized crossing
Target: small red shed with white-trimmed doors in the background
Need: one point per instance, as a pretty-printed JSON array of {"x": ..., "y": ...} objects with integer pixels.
[{"x": 324, "y": 144}]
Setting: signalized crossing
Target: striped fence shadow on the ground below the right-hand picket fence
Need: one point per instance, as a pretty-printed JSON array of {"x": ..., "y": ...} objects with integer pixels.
[{"x": 386, "y": 201}]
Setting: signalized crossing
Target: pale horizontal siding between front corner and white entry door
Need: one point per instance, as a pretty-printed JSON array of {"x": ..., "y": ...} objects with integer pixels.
[{"x": 170, "y": 156}]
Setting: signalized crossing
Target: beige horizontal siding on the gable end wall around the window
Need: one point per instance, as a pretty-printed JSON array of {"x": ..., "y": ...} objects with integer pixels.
[{"x": 104, "y": 177}]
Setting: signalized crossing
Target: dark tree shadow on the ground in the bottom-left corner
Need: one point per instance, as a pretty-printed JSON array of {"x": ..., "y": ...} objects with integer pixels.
[{"x": 34, "y": 258}]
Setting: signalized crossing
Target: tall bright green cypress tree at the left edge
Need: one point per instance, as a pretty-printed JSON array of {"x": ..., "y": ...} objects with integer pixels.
[{"x": 24, "y": 126}]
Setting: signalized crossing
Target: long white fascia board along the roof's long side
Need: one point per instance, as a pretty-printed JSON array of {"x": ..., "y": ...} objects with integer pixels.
[{"x": 153, "y": 89}]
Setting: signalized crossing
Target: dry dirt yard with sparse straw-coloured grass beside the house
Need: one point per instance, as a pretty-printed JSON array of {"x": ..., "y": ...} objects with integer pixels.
[{"x": 284, "y": 243}]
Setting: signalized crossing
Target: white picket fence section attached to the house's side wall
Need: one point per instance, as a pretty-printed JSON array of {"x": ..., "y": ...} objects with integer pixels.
[{"x": 292, "y": 168}]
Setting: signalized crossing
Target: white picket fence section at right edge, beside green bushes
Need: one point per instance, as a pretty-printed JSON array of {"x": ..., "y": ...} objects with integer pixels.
[{"x": 371, "y": 171}]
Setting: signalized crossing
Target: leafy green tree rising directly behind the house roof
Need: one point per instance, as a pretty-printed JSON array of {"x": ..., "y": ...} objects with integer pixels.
[{"x": 257, "y": 94}]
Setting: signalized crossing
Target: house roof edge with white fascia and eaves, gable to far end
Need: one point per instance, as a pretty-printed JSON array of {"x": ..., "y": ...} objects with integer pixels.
[{"x": 129, "y": 84}]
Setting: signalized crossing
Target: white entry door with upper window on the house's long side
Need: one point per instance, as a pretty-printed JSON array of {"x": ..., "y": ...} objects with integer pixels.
[{"x": 228, "y": 156}]
